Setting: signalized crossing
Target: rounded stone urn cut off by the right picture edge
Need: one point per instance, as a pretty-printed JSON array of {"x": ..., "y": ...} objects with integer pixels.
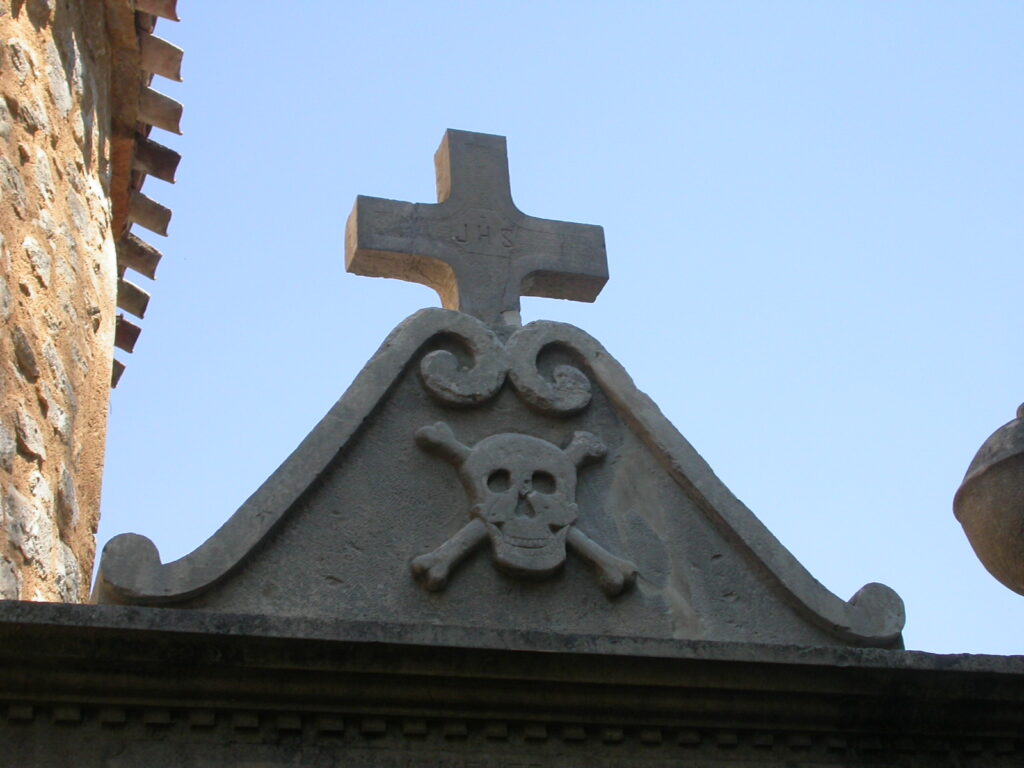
[{"x": 990, "y": 504}]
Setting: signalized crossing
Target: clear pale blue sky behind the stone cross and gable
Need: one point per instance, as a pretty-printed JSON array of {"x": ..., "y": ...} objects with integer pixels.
[{"x": 814, "y": 218}]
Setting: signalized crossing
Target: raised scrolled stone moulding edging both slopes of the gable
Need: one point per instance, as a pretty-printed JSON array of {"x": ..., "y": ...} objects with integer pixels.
[{"x": 132, "y": 573}]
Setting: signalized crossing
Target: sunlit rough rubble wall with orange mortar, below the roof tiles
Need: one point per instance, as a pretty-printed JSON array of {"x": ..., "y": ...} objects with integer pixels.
[{"x": 59, "y": 268}]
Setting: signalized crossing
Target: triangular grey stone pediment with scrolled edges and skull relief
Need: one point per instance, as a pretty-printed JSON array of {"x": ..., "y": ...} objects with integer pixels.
[{"x": 509, "y": 480}]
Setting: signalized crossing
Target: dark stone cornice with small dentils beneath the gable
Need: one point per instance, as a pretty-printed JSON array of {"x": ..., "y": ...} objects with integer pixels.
[{"x": 266, "y": 692}]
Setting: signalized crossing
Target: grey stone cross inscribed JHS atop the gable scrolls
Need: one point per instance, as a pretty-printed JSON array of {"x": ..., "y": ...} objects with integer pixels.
[{"x": 475, "y": 247}]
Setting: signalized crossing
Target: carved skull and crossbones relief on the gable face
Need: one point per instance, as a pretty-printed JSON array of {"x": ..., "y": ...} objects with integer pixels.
[{"x": 523, "y": 494}]
